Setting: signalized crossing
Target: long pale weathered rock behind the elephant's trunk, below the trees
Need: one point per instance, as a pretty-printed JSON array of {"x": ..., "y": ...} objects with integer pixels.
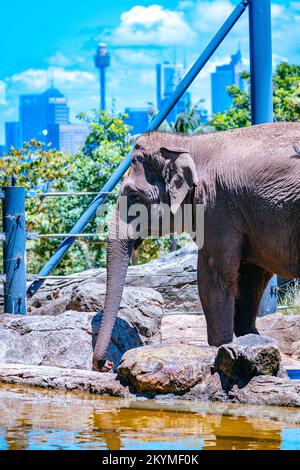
[{"x": 173, "y": 275}]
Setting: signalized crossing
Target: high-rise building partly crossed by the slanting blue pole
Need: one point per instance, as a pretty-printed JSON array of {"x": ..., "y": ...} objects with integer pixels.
[{"x": 168, "y": 77}]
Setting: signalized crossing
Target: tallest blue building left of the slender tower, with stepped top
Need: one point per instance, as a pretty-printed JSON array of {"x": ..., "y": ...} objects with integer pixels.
[{"x": 37, "y": 112}]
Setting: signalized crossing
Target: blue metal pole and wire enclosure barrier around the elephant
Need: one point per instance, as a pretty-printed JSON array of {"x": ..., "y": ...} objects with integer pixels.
[{"x": 14, "y": 234}]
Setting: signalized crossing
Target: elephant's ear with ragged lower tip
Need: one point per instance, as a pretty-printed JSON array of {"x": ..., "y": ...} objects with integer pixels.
[{"x": 180, "y": 174}]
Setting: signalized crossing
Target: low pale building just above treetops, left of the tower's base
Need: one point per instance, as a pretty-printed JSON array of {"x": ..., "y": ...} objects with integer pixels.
[{"x": 68, "y": 138}]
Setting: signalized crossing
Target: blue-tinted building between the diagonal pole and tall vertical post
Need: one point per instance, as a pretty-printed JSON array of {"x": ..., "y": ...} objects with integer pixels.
[{"x": 226, "y": 75}]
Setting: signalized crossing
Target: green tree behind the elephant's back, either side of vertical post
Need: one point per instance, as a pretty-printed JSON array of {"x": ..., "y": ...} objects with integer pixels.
[{"x": 286, "y": 99}]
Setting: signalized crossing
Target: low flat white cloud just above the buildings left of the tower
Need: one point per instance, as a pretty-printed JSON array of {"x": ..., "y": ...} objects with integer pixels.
[{"x": 38, "y": 79}]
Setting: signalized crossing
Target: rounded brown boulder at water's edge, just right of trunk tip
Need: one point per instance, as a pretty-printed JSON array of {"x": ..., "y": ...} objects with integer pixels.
[{"x": 166, "y": 369}]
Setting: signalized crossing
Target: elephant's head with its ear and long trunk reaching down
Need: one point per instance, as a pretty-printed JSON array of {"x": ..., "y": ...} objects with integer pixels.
[{"x": 161, "y": 174}]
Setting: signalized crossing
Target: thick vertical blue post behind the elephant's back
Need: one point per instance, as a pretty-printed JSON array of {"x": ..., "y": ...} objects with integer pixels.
[{"x": 262, "y": 97}]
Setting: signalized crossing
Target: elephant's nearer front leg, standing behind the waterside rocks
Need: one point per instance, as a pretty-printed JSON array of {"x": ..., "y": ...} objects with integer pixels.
[{"x": 217, "y": 285}]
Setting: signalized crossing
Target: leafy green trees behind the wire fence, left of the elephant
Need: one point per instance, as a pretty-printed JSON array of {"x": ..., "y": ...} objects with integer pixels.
[{"x": 40, "y": 168}]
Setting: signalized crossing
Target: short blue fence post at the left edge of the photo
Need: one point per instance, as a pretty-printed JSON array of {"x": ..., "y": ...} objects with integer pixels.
[{"x": 14, "y": 250}]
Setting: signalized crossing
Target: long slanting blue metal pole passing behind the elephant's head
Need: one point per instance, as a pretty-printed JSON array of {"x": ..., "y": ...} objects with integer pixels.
[{"x": 154, "y": 125}]
